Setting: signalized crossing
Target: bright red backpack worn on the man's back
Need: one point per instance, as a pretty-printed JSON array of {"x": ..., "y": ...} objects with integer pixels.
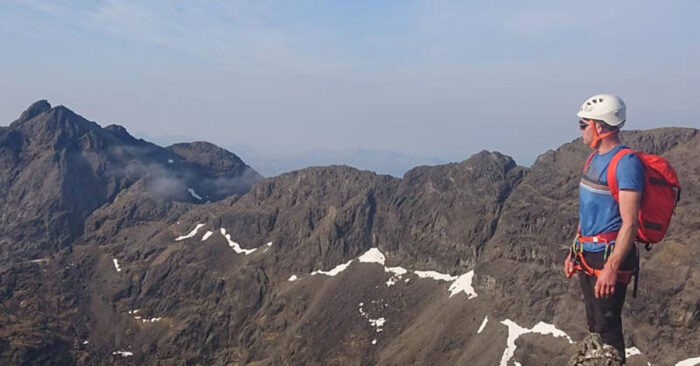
[{"x": 659, "y": 198}]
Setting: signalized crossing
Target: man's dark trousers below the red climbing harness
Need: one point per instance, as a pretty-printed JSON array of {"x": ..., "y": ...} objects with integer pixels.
[{"x": 604, "y": 316}]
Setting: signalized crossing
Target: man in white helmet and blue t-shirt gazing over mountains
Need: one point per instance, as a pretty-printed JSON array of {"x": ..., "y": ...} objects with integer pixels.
[{"x": 607, "y": 229}]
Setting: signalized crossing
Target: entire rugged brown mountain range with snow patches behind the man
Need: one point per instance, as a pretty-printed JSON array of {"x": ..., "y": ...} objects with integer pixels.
[{"x": 136, "y": 277}]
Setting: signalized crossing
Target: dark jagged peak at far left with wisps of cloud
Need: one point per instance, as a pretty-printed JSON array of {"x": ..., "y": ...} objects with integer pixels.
[{"x": 59, "y": 167}]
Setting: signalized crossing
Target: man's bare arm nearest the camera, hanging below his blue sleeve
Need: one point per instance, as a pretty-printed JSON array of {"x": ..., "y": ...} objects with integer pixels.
[{"x": 629, "y": 202}]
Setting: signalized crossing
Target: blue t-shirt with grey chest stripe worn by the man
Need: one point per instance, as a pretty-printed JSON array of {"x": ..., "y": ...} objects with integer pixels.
[{"x": 598, "y": 211}]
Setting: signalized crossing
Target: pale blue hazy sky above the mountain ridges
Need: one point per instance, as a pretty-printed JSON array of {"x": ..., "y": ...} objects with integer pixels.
[{"x": 426, "y": 78}]
